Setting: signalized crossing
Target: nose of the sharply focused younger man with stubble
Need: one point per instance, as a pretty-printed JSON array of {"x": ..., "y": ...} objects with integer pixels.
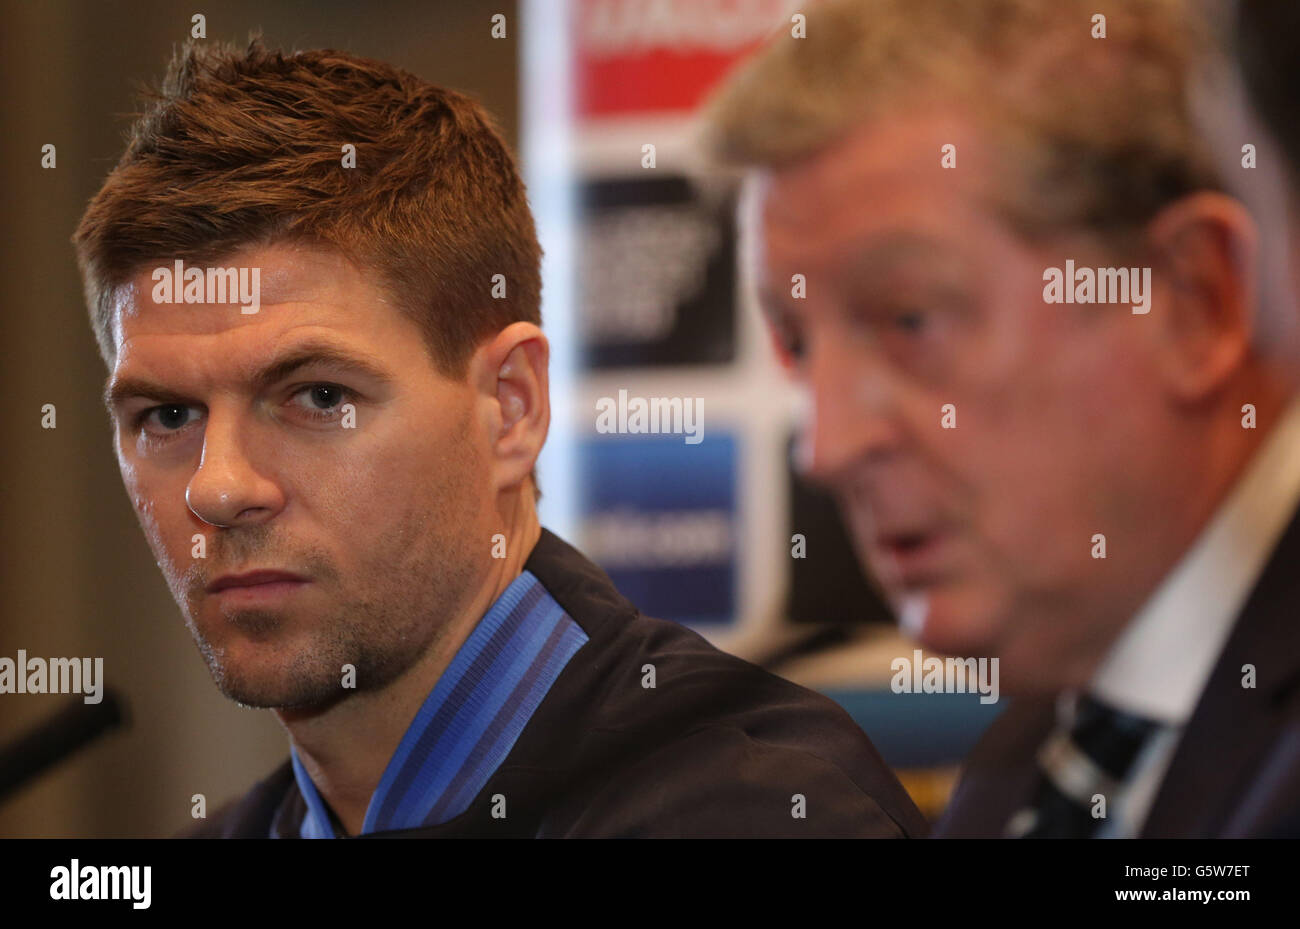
[{"x": 228, "y": 489}]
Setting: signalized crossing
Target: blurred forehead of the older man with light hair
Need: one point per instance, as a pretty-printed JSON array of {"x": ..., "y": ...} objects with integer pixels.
[{"x": 883, "y": 185}]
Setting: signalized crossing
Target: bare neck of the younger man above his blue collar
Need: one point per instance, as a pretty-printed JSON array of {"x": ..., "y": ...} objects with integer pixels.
[{"x": 346, "y": 746}]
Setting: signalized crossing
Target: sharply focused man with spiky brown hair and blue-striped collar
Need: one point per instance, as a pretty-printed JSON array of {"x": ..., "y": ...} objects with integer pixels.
[{"x": 315, "y": 281}]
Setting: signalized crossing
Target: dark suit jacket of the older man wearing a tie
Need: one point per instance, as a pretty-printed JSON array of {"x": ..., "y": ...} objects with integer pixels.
[{"x": 1237, "y": 769}]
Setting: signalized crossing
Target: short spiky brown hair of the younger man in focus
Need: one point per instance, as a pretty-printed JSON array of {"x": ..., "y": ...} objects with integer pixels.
[{"x": 244, "y": 147}]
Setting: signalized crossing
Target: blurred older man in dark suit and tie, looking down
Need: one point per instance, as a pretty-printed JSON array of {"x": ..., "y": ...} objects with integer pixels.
[{"x": 1064, "y": 427}]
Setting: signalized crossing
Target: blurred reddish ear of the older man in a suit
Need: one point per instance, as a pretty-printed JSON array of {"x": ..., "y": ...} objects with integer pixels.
[{"x": 1204, "y": 253}]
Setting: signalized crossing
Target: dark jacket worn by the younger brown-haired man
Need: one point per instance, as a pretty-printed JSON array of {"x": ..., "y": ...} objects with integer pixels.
[{"x": 718, "y": 748}]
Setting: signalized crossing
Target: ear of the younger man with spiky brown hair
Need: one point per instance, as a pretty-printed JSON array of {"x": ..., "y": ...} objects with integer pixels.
[{"x": 509, "y": 374}]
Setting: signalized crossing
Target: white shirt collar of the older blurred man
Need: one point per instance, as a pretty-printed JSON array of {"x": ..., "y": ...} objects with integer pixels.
[{"x": 1162, "y": 662}]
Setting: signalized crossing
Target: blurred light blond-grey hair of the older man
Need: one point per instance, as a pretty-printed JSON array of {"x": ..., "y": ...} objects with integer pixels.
[{"x": 1098, "y": 132}]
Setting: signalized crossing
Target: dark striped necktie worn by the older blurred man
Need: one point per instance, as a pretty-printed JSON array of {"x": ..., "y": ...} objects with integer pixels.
[{"x": 1091, "y": 758}]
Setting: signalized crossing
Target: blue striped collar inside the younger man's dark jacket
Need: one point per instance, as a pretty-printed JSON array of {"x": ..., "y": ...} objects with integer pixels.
[{"x": 471, "y": 719}]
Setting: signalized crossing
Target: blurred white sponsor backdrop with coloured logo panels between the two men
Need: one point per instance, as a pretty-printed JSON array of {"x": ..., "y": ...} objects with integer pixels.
[{"x": 722, "y": 535}]
